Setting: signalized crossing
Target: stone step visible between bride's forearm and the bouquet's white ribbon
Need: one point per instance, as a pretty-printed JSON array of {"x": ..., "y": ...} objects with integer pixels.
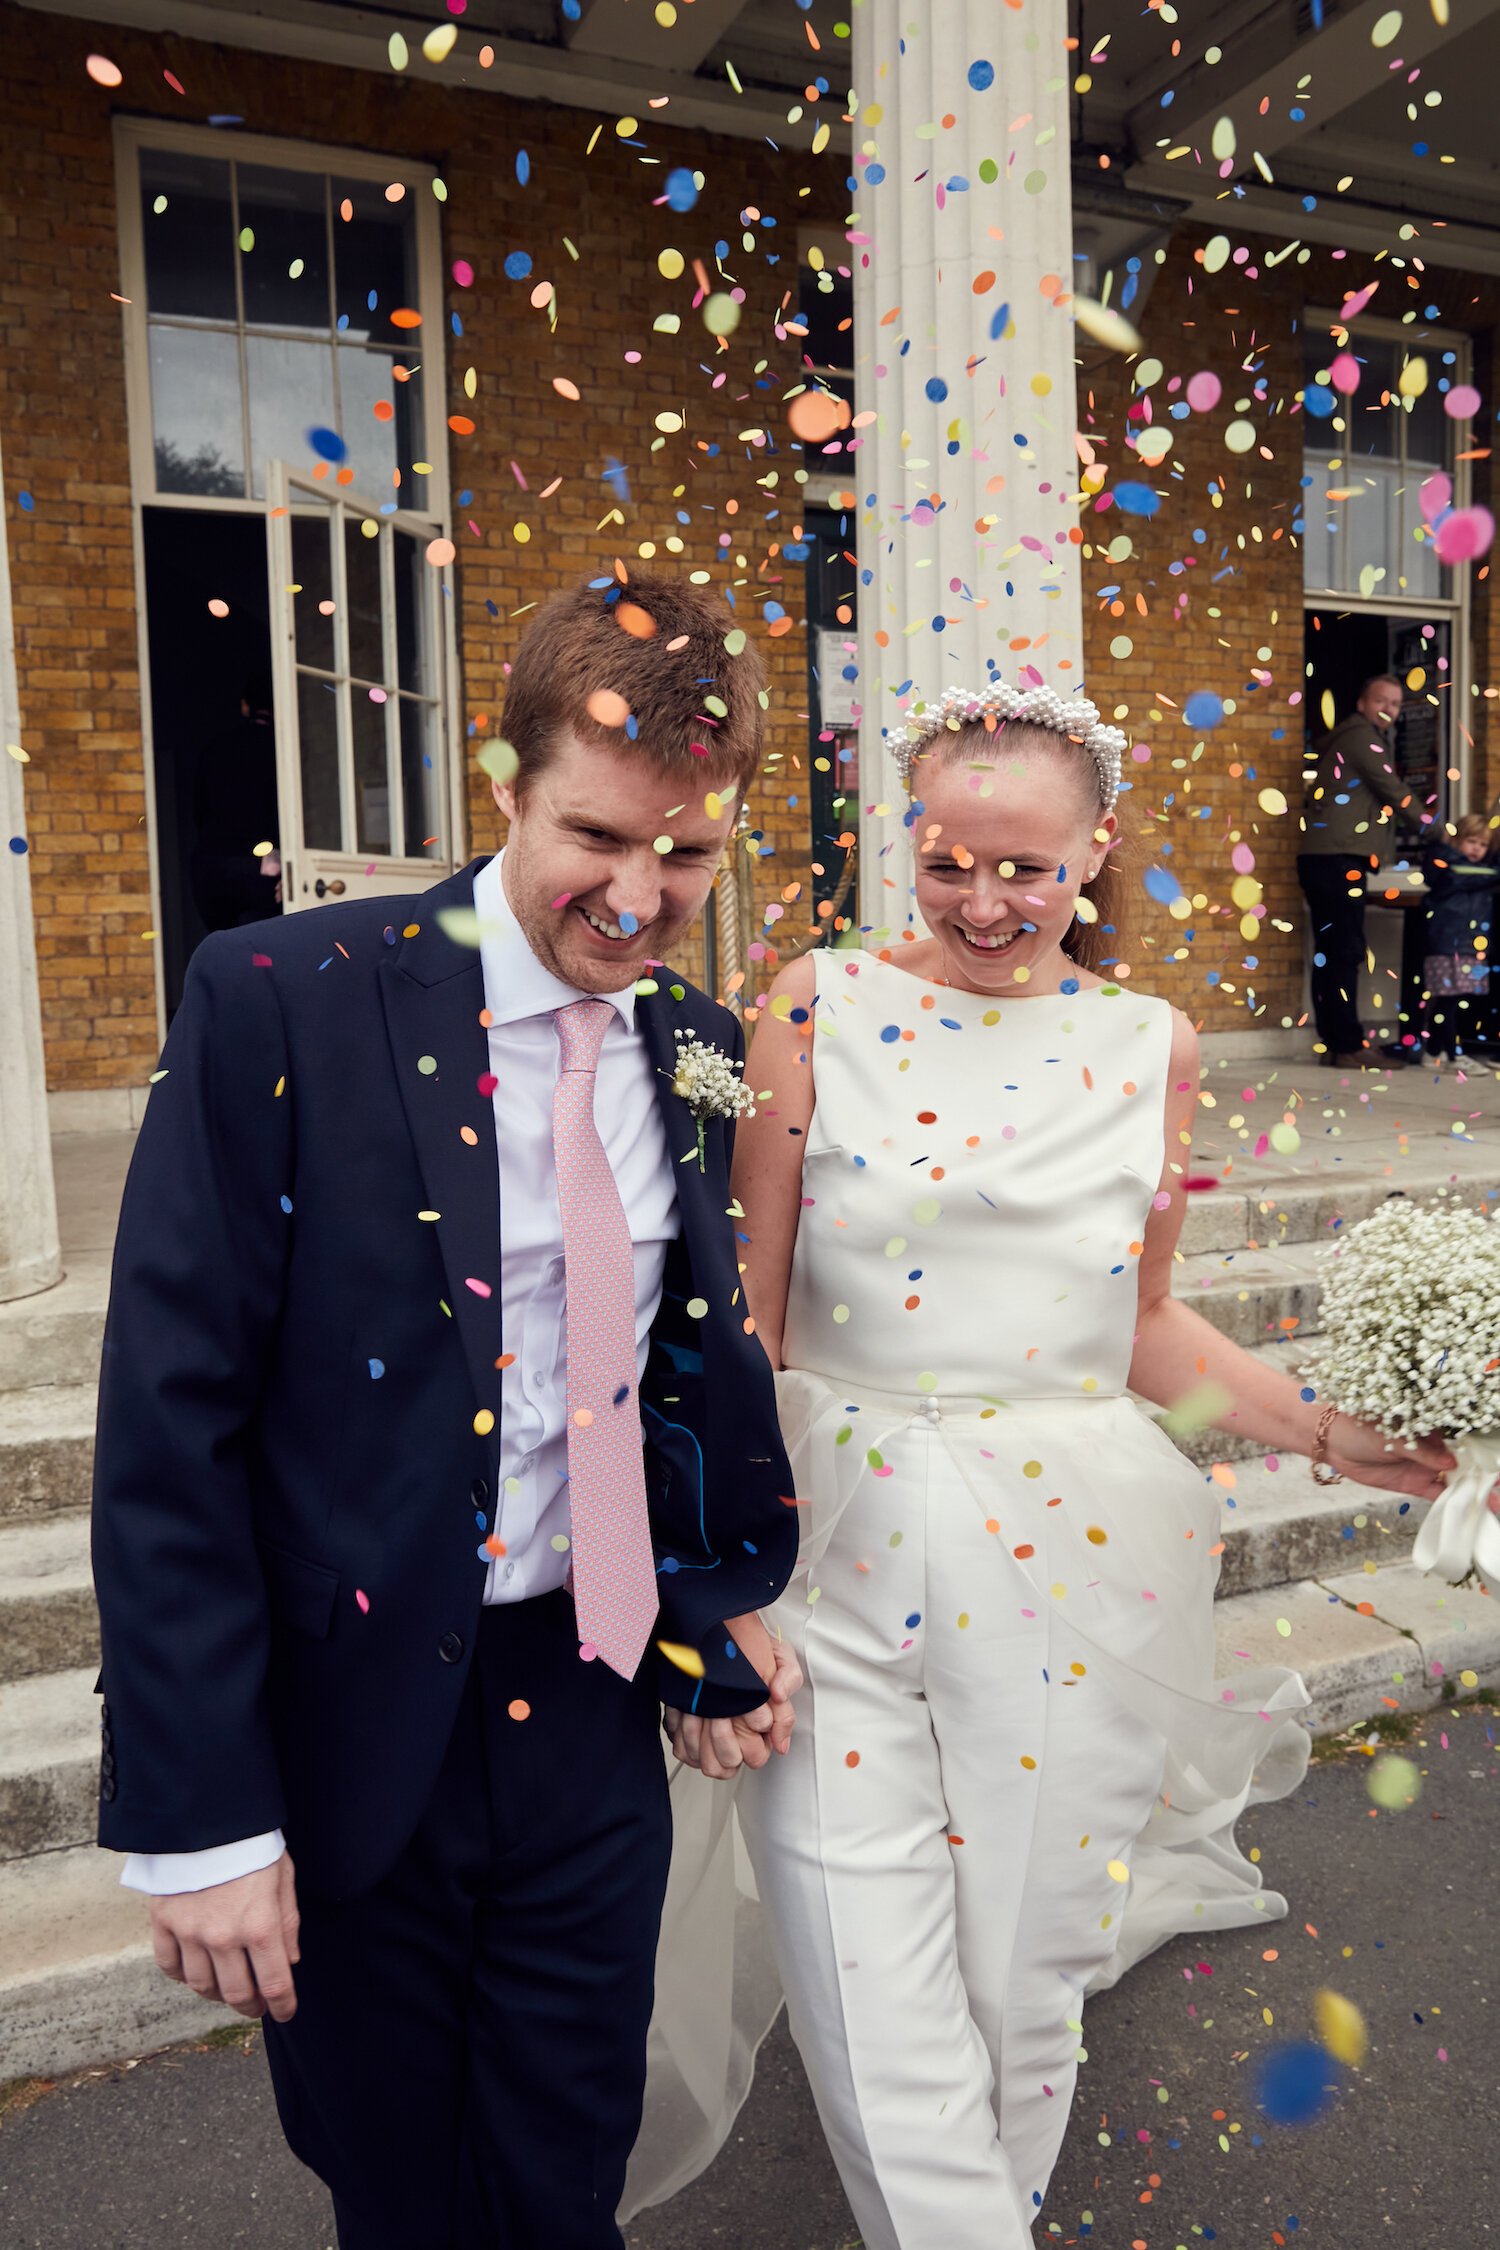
[{"x": 1283, "y": 1527}]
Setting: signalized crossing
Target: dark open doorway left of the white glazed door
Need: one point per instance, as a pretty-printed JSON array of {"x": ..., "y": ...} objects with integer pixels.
[{"x": 201, "y": 669}]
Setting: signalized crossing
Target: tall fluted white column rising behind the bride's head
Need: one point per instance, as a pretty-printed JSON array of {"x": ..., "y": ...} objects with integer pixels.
[{"x": 968, "y": 476}]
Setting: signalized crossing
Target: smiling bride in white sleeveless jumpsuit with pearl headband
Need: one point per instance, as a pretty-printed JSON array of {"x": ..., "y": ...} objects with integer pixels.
[{"x": 1013, "y": 1770}]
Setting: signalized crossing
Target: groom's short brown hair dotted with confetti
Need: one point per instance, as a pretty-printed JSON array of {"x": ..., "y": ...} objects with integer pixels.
[{"x": 685, "y": 672}]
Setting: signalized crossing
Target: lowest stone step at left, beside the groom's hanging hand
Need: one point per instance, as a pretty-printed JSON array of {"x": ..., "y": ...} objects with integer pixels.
[{"x": 78, "y": 1979}]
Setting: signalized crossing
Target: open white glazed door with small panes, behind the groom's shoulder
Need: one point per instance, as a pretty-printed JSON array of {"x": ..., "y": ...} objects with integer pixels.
[{"x": 363, "y": 663}]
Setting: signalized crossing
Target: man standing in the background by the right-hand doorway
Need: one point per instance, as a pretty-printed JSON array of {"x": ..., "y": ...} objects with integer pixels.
[{"x": 1348, "y": 818}]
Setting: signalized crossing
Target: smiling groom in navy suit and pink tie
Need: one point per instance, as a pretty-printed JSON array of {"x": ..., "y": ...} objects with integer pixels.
[{"x": 435, "y": 1450}]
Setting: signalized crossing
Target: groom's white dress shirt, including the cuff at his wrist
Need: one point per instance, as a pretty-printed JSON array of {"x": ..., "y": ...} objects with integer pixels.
[{"x": 532, "y": 1515}]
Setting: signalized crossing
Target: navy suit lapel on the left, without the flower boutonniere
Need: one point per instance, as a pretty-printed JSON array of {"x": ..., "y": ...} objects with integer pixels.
[{"x": 433, "y": 993}]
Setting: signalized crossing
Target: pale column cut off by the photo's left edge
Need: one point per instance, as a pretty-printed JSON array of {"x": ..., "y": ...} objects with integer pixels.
[{"x": 30, "y": 1254}]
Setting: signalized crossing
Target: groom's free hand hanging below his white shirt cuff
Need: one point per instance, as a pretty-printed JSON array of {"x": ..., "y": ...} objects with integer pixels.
[{"x": 235, "y": 1943}]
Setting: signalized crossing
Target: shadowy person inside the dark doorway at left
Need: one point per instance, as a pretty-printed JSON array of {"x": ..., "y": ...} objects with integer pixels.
[{"x": 235, "y": 809}]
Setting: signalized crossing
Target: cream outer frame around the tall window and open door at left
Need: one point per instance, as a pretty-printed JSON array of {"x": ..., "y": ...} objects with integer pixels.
[{"x": 132, "y": 138}]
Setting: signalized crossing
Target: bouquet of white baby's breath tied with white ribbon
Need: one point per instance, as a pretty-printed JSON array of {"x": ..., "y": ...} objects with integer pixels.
[{"x": 1411, "y": 1340}]
